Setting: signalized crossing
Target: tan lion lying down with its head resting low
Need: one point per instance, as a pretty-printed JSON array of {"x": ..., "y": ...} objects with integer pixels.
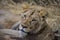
[{"x": 33, "y": 23}]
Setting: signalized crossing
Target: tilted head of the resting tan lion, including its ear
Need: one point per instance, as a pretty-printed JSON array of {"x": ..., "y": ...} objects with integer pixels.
[{"x": 33, "y": 20}]
